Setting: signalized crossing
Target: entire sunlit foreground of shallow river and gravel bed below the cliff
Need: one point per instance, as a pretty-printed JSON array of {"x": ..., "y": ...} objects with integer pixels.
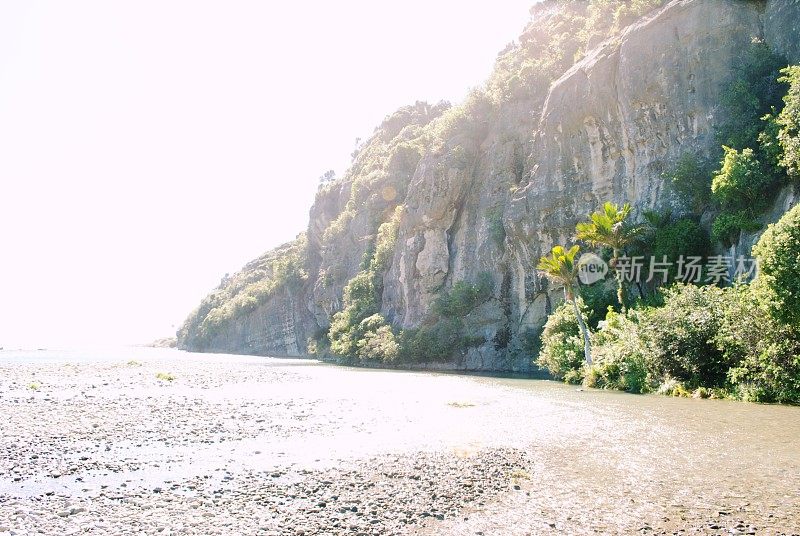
[{"x": 470, "y": 454}]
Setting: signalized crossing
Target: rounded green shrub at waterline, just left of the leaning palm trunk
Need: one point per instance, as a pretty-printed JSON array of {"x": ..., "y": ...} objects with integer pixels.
[{"x": 562, "y": 345}]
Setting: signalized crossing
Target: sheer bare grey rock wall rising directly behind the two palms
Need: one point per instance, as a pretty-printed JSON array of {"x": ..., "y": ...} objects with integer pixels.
[{"x": 618, "y": 119}]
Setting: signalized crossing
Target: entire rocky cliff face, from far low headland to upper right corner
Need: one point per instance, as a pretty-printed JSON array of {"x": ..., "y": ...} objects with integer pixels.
[{"x": 491, "y": 185}]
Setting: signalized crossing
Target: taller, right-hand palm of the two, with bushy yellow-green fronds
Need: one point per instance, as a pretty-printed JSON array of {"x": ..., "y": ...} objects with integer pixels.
[{"x": 610, "y": 228}]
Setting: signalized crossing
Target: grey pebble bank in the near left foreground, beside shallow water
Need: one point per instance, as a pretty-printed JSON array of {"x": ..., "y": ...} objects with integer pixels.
[{"x": 386, "y": 495}]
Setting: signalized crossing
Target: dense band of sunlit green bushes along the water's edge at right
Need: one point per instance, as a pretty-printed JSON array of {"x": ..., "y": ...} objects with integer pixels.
[{"x": 740, "y": 342}]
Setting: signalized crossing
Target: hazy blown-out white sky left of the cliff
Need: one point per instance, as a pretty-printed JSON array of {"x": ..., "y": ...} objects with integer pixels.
[{"x": 148, "y": 147}]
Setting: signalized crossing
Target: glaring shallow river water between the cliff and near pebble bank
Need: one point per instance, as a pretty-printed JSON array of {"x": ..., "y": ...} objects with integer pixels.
[{"x": 652, "y": 453}]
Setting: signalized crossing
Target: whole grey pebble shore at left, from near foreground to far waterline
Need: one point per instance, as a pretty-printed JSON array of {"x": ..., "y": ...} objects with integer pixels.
[{"x": 108, "y": 448}]
